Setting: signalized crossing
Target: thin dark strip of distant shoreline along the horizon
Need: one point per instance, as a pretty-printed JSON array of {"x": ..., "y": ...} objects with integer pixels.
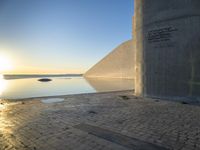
[{"x": 21, "y": 76}]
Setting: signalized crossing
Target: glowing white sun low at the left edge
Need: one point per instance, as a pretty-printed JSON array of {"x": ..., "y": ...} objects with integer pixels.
[{"x": 5, "y": 63}]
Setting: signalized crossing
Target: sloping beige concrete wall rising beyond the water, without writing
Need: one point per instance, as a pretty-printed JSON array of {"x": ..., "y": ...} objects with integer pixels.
[{"x": 118, "y": 64}]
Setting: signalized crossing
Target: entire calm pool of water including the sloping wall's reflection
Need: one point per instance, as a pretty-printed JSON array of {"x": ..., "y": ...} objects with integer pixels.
[{"x": 31, "y": 87}]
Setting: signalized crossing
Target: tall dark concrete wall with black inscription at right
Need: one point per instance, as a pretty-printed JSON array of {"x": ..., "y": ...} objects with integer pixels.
[{"x": 167, "y": 35}]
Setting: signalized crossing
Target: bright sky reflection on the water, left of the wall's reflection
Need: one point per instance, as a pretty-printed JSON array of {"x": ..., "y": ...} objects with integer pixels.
[{"x": 31, "y": 87}]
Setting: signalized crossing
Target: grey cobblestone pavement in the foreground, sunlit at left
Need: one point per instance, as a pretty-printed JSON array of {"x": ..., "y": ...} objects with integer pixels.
[{"x": 103, "y": 121}]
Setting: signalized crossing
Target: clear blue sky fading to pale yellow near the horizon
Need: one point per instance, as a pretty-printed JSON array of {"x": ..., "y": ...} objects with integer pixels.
[{"x": 60, "y": 36}]
